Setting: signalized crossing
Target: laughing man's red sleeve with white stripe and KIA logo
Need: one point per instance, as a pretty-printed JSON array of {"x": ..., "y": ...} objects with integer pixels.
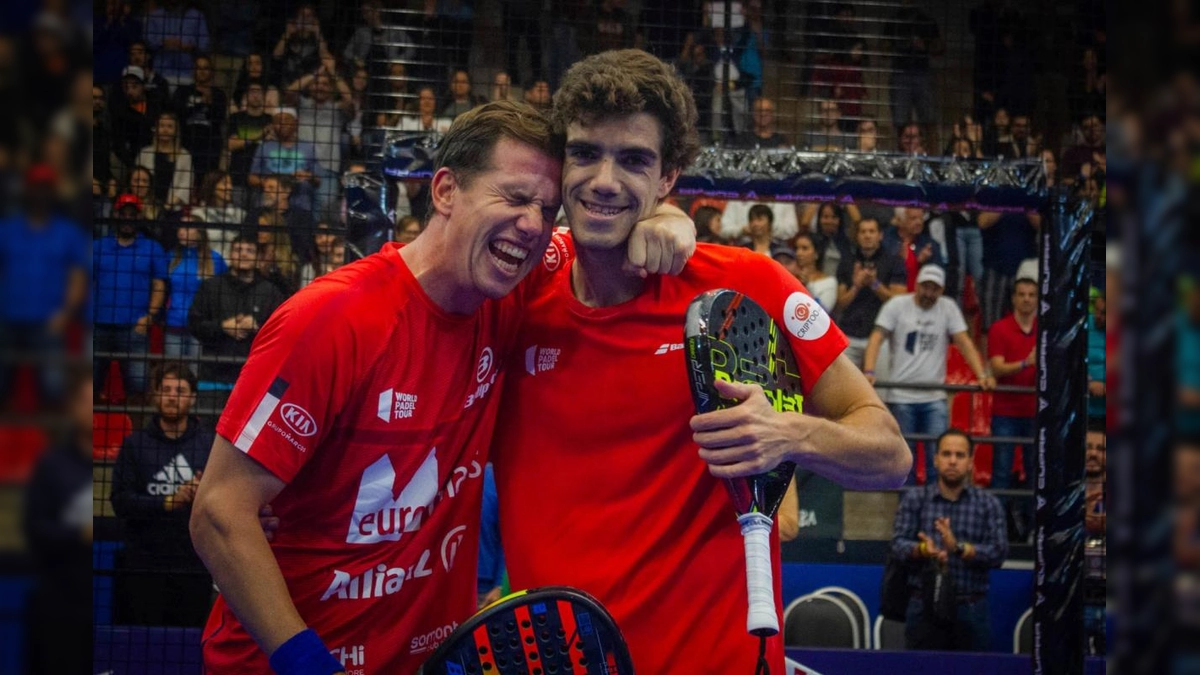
[{"x": 297, "y": 380}]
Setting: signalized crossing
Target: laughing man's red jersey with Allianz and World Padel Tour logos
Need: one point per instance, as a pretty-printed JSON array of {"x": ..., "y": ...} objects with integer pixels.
[{"x": 377, "y": 410}]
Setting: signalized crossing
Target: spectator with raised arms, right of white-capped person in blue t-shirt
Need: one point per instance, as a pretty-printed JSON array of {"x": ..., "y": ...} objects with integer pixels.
[{"x": 323, "y": 112}]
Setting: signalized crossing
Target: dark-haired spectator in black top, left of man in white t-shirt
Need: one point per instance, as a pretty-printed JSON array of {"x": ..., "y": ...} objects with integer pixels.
[{"x": 866, "y": 280}]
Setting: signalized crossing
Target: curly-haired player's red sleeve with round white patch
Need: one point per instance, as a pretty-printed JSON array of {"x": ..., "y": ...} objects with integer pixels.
[{"x": 814, "y": 337}]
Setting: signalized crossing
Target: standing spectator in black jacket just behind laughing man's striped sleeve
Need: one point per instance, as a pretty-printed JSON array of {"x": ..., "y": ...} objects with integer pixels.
[{"x": 227, "y": 314}]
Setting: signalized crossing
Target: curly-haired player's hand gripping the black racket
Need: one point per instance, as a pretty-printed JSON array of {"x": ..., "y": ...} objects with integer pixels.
[{"x": 748, "y": 439}]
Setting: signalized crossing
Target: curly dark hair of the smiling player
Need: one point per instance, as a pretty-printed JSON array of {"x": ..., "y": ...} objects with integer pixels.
[{"x": 626, "y": 82}]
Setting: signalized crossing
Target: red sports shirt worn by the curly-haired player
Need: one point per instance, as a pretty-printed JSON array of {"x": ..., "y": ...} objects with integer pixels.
[{"x": 599, "y": 480}]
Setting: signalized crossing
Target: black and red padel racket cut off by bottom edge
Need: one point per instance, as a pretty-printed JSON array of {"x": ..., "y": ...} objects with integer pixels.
[{"x": 554, "y": 630}]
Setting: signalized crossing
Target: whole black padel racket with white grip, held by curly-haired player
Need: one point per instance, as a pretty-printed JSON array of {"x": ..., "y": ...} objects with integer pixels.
[{"x": 730, "y": 337}]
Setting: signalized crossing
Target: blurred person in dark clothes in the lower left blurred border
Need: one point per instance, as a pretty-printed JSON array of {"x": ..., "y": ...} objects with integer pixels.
[{"x": 57, "y": 523}]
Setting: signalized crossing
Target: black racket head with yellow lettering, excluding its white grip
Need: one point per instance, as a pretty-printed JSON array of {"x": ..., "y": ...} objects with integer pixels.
[{"x": 730, "y": 337}]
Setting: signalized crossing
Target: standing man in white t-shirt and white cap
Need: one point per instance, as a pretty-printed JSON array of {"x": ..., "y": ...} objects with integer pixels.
[{"x": 919, "y": 328}]
